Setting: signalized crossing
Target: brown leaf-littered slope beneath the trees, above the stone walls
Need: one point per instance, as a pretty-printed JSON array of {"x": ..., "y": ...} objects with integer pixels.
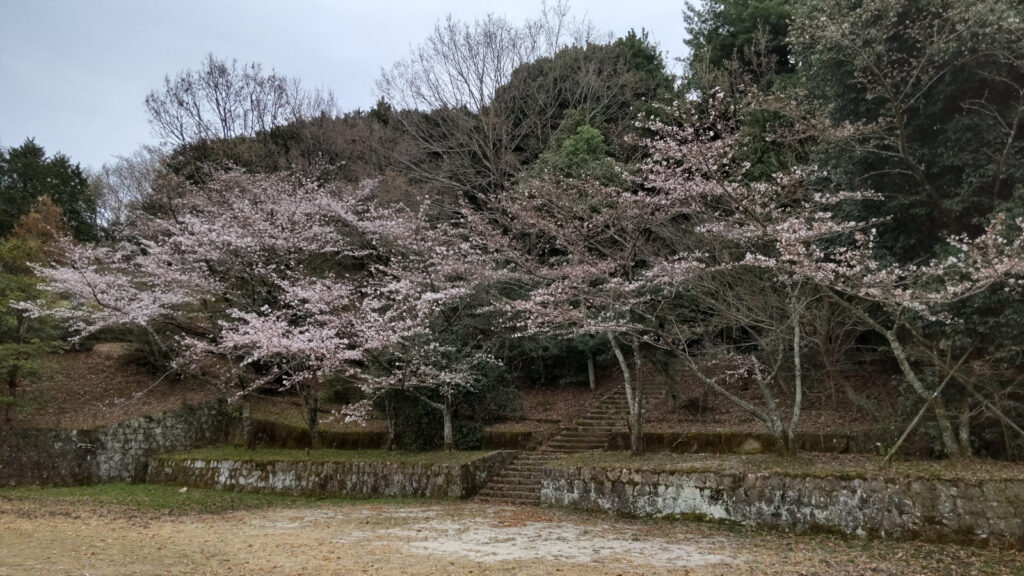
[{"x": 81, "y": 390}]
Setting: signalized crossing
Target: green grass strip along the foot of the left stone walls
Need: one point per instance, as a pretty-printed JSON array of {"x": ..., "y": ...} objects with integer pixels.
[{"x": 169, "y": 500}]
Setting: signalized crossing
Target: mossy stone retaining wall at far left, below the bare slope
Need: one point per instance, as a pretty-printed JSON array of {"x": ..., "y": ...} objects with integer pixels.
[{"x": 118, "y": 452}]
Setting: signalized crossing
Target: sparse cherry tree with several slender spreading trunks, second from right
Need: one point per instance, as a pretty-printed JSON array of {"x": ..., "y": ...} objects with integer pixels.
[{"x": 742, "y": 315}]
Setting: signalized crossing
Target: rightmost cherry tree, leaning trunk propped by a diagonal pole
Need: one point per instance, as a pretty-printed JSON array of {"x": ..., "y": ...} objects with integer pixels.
[{"x": 903, "y": 302}]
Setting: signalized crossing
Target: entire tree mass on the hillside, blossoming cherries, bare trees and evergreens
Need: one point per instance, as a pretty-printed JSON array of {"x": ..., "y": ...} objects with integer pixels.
[{"x": 831, "y": 185}]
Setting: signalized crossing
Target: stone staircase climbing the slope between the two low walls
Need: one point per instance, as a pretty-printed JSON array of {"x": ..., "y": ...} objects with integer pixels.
[{"x": 520, "y": 483}]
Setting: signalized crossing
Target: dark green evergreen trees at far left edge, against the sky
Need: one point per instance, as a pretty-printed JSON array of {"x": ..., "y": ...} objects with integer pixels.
[{"x": 27, "y": 175}]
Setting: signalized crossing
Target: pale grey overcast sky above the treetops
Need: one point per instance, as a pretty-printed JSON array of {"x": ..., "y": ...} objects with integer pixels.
[{"x": 74, "y": 74}]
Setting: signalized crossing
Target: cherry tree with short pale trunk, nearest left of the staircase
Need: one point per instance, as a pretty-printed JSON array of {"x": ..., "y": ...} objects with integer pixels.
[{"x": 441, "y": 278}]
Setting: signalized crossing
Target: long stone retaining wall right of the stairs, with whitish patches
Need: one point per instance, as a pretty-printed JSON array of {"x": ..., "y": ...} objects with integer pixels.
[{"x": 979, "y": 512}]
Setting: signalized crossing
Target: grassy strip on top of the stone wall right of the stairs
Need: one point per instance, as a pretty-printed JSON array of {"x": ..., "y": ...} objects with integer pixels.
[{"x": 846, "y": 467}]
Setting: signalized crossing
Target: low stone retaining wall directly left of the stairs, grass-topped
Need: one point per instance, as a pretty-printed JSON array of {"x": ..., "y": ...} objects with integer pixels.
[{"x": 351, "y": 480}]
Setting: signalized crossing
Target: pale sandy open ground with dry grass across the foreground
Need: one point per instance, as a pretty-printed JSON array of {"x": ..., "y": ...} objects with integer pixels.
[{"x": 439, "y": 539}]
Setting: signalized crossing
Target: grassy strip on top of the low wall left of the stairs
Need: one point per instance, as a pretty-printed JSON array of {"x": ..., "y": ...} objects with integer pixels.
[{"x": 277, "y": 455}]
